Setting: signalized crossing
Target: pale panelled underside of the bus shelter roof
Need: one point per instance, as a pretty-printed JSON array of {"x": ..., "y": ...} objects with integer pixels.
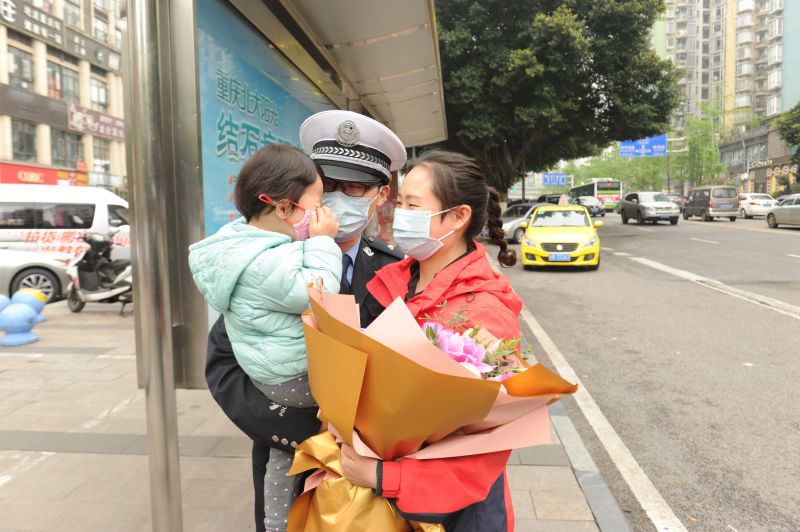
[{"x": 387, "y": 55}]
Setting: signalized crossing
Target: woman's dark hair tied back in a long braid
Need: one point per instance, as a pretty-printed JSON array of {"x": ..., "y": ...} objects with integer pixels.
[{"x": 459, "y": 180}]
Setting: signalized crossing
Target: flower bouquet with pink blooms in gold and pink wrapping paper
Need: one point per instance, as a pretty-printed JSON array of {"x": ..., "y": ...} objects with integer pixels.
[{"x": 396, "y": 390}]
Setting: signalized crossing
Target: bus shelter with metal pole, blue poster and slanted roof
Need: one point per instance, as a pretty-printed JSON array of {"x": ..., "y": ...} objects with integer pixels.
[{"x": 209, "y": 82}]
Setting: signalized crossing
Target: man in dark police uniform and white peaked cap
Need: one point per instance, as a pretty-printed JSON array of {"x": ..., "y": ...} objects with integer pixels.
[{"x": 356, "y": 155}]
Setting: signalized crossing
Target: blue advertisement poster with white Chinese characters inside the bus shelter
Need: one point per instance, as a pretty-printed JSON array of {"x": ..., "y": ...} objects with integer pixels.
[{"x": 250, "y": 96}]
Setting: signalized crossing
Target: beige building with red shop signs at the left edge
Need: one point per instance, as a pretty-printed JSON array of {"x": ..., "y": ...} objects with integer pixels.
[{"x": 61, "y": 107}]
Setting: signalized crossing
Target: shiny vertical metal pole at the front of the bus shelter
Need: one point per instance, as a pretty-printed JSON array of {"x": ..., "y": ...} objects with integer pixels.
[{"x": 150, "y": 171}]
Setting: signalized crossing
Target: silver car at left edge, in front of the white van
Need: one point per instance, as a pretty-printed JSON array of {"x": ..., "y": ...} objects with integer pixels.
[{"x": 43, "y": 270}]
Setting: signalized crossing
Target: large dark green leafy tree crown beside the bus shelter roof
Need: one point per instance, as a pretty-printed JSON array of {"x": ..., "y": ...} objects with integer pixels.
[{"x": 531, "y": 82}]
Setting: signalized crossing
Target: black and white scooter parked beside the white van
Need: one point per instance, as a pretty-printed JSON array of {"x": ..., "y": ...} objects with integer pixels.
[{"x": 95, "y": 278}]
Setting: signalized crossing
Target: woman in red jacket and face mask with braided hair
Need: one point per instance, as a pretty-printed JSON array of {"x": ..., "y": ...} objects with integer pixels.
[{"x": 443, "y": 205}]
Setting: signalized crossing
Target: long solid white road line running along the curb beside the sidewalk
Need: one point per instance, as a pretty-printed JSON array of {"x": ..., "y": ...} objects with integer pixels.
[{"x": 654, "y": 505}]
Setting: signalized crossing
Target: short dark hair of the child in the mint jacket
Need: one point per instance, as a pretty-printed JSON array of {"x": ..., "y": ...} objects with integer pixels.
[{"x": 277, "y": 170}]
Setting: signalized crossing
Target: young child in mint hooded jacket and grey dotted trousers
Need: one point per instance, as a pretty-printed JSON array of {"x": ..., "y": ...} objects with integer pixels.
[{"x": 255, "y": 271}]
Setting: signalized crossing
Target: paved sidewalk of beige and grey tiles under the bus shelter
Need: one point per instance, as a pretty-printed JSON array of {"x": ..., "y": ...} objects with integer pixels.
[{"x": 73, "y": 443}]
